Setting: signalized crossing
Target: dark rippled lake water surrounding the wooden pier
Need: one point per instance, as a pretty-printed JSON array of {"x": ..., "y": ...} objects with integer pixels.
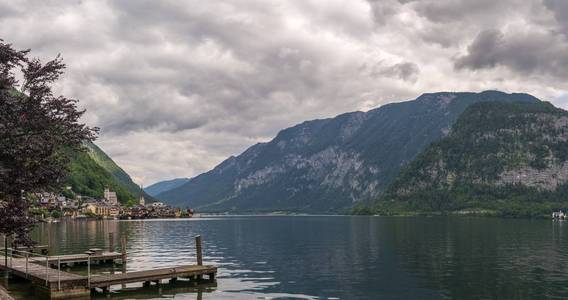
[{"x": 337, "y": 257}]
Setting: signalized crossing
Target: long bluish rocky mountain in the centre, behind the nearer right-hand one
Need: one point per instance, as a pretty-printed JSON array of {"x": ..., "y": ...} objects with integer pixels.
[{"x": 328, "y": 165}]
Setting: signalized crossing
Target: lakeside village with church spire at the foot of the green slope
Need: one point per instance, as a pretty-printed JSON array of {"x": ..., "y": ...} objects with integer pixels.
[{"x": 52, "y": 207}]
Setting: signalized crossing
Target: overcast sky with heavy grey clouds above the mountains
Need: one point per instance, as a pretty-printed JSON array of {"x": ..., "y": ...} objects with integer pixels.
[{"x": 178, "y": 86}]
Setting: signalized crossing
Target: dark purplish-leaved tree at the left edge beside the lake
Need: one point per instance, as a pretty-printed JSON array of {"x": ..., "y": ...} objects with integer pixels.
[{"x": 39, "y": 132}]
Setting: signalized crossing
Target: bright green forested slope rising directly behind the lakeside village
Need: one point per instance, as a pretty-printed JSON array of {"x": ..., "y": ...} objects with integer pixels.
[{"x": 93, "y": 170}]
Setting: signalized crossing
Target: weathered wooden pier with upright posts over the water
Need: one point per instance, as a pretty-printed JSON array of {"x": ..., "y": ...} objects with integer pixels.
[{"x": 57, "y": 284}]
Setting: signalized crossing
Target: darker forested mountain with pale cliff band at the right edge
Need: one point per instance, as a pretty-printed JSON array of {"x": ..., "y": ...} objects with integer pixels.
[{"x": 506, "y": 158}]
